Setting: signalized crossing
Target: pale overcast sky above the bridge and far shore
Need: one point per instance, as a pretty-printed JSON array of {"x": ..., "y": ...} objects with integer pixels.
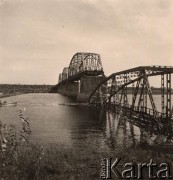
[{"x": 39, "y": 37}]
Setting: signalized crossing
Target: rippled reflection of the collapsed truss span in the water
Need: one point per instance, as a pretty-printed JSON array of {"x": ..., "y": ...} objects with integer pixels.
[{"x": 120, "y": 132}]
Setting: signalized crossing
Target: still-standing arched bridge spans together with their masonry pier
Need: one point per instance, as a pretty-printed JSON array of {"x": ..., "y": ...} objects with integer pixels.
[{"x": 80, "y": 78}]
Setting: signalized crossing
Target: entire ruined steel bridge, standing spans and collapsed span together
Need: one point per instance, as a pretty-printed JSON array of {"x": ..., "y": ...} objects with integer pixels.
[{"x": 126, "y": 92}]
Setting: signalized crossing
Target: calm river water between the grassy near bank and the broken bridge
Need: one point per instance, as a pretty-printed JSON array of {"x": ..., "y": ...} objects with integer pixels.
[{"x": 56, "y": 119}]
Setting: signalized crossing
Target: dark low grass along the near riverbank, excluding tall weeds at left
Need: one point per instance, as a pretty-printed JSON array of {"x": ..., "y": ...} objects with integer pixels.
[{"x": 56, "y": 162}]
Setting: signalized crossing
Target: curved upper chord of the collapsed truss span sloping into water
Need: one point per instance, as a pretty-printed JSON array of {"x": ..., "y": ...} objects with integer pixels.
[{"x": 133, "y": 75}]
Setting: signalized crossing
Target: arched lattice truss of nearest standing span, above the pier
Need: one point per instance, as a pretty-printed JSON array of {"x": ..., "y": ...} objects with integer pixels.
[{"x": 85, "y": 62}]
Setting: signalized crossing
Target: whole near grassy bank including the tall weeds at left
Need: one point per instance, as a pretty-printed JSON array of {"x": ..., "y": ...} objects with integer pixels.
[{"x": 21, "y": 159}]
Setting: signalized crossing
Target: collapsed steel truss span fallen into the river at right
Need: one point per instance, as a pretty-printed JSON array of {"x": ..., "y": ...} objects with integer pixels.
[{"x": 129, "y": 92}]
